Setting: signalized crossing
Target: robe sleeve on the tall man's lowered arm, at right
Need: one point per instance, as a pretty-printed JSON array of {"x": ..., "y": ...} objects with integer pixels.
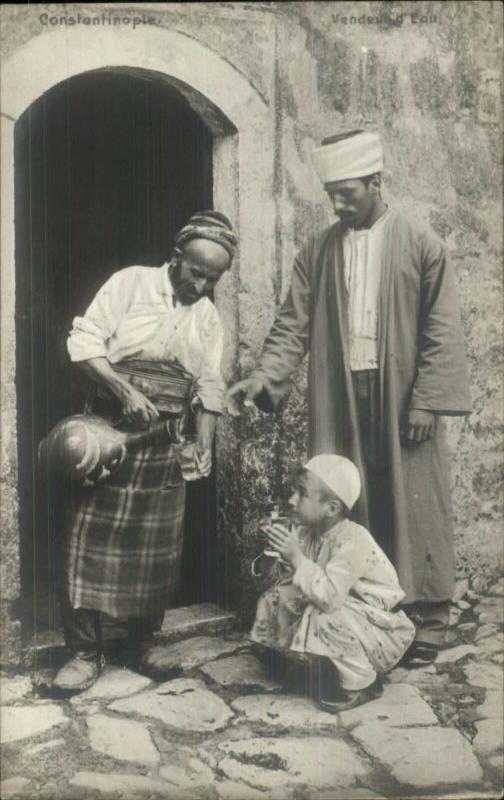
[{"x": 441, "y": 384}]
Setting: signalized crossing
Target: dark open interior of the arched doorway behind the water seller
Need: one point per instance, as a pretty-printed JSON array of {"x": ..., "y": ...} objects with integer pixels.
[{"x": 108, "y": 166}]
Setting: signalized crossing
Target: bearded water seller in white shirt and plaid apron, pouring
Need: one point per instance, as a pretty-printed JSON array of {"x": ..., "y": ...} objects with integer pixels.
[{"x": 151, "y": 341}]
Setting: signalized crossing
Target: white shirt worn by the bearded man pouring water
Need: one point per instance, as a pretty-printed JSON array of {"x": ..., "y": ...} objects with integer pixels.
[{"x": 134, "y": 315}]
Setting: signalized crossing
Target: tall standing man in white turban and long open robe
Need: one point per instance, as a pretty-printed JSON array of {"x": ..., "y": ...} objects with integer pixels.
[{"x": 373, "y": 301}]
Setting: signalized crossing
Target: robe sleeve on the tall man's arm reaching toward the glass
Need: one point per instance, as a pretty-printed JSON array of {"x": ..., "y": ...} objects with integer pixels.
[{"x": 288, "y": 340}]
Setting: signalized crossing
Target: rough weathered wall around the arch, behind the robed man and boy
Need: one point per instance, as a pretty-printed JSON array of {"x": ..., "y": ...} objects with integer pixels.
[{"x": 427, "y": 75}]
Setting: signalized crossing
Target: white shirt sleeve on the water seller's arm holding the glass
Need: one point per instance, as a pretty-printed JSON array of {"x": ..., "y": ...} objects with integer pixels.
[{"x": 209, "y": 389}]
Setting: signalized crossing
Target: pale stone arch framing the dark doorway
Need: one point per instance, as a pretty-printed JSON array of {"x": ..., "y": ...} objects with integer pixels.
[{"x": 243, "y": 128}]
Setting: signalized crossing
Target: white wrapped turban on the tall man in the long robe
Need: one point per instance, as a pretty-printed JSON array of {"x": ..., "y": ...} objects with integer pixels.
[{"x": 351, "y": 157}]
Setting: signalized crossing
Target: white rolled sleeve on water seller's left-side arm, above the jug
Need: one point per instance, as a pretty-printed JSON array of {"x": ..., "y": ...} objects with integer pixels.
[{"x": 90, "y": 334}]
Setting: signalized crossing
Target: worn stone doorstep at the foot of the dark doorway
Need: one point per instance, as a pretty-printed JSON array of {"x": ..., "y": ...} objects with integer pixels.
[{"x": 45, "y": 648}]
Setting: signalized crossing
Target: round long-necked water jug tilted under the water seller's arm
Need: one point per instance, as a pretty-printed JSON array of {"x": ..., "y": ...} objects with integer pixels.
[{"x": 88, "y": 449}]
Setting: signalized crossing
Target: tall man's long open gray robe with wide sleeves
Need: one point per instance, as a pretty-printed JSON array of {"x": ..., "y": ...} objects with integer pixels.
[{"x": 421, "y": 365}]
